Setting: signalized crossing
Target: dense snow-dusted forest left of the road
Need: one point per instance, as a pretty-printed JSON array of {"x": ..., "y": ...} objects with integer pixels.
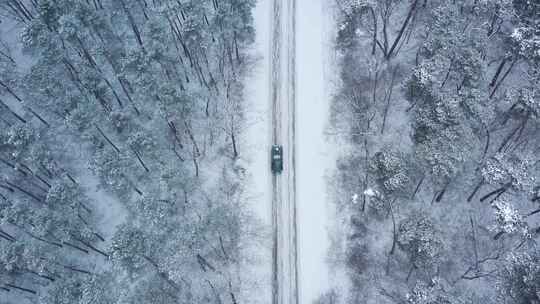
[{"x": 122, "y": 178}]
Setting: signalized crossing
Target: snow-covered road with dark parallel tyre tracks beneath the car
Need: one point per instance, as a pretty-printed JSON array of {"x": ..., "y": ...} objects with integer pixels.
[{"x": 282, "y": 67}]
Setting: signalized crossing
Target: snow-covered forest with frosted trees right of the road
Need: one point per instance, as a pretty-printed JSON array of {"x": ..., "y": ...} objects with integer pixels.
[{"x": 438, "y": 104}]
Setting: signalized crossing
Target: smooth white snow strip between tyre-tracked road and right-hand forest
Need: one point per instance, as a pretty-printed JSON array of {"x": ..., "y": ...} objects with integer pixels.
[{"x": 314, "y": 152}]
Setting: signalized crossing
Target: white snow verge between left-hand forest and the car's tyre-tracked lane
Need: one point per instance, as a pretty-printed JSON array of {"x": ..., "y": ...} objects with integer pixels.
[{"x": 255, "y": 150}]
